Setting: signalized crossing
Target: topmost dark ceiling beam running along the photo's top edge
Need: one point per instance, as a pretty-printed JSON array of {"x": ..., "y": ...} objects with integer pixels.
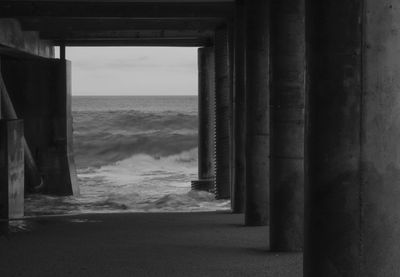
[{"x": 115, "y": 9}]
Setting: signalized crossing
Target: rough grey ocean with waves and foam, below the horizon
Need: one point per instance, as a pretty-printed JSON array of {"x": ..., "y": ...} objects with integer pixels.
[{"x": 133, "y": 154}]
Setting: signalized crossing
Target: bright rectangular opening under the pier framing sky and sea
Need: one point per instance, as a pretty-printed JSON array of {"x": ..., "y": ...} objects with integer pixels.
[{"x": 135, "y": 118}]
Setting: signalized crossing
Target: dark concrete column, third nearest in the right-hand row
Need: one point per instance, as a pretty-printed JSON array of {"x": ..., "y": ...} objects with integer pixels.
[{"x": 258, "y": 114}]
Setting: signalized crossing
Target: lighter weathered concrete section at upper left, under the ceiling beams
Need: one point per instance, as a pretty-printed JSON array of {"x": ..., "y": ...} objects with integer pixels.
[{"x": 13, "y": 38}]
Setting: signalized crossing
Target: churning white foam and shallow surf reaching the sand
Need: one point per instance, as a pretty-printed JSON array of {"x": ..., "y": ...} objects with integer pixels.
[{"x": 139, "y": 184}]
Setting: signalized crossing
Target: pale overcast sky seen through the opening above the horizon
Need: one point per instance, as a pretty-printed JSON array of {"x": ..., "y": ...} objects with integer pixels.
[{"x": 133, "y": 70}]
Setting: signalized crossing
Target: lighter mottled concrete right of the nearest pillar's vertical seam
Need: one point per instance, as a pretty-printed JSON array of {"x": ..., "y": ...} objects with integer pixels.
[{"x": 380, "y": 190}]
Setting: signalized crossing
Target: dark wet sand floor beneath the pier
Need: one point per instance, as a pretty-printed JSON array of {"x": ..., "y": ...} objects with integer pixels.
[{"x": 169, "y": 244}]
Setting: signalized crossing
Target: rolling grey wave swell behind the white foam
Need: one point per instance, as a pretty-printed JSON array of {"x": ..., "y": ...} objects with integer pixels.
[{"x": 102, "y": 138}]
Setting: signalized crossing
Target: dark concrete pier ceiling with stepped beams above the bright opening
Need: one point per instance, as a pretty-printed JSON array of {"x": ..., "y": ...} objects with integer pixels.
[{"x": 122, "y": 22}]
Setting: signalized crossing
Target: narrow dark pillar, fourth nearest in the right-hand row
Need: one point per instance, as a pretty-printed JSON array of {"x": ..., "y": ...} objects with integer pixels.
[{"x": 239, "y": 112}]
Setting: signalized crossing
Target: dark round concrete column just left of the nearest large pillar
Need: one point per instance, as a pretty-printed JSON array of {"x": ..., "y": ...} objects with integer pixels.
[{"x": 287, "y": 124}]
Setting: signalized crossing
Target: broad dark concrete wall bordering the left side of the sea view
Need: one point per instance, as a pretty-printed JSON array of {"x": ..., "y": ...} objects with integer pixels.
[{"x": 41, "y": 93}]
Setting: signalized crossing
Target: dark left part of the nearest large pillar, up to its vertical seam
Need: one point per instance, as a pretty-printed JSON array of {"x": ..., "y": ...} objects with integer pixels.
[{"x": 333, "y": 231}]
